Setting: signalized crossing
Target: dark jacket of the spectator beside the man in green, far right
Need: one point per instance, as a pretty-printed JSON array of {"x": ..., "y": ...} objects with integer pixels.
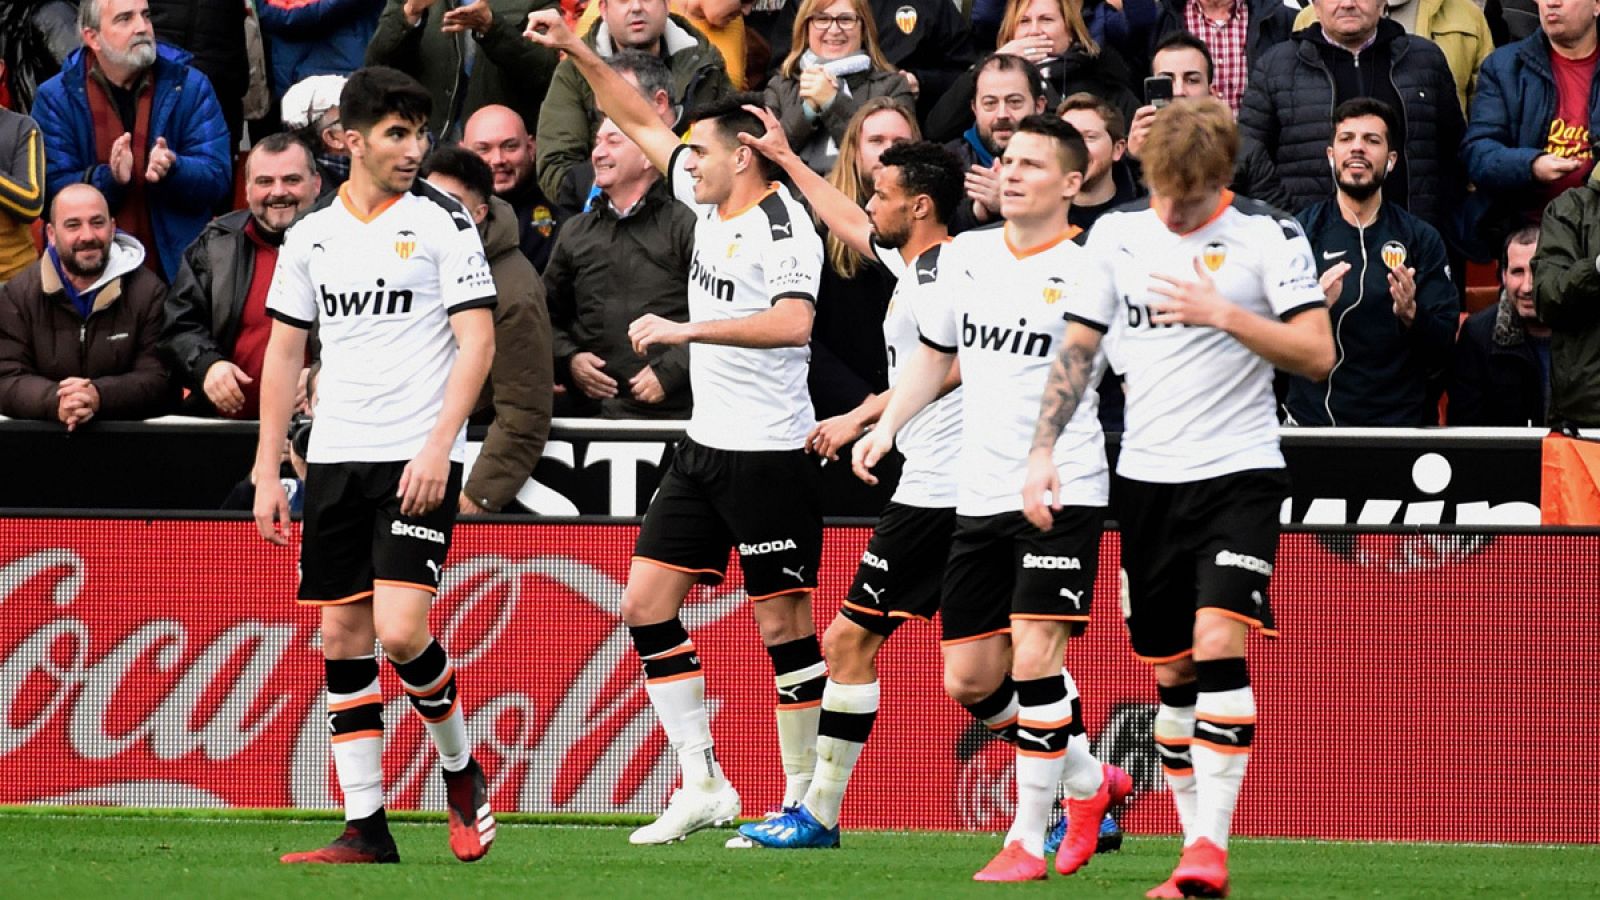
[{"x": 1497, "y": 379}]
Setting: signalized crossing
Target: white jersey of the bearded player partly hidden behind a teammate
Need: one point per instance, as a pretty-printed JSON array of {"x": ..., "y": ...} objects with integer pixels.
[{"x": 932, "y": 440}]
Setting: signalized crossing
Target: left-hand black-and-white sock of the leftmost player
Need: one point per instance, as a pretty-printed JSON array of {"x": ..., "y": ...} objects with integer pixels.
[{"x": 356, "y": 718}]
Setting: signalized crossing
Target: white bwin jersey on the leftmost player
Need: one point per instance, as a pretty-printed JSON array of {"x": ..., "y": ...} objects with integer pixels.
[{"x": 382, "y": 292}]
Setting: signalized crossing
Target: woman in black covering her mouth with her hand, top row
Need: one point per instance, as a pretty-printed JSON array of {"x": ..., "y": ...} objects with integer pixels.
[{"x": 1052, "y": 36}]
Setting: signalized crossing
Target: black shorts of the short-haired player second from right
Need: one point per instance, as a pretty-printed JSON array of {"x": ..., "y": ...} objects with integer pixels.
[{"x": 1002, "y": 568}]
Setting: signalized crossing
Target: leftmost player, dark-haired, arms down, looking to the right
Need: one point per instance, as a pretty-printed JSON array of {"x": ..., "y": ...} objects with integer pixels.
[{"x": 393, "y": 275}]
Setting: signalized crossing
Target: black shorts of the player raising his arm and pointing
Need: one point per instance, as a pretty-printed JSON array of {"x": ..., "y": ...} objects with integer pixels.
[{"x": 764, "y": 504}]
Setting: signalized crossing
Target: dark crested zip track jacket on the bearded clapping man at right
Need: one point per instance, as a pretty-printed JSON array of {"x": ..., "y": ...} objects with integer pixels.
[{"x": 1382, "y": 369}]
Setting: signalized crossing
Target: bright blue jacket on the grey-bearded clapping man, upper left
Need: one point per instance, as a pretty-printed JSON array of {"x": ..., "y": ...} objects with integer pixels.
[{"x": 183, "y": 110}]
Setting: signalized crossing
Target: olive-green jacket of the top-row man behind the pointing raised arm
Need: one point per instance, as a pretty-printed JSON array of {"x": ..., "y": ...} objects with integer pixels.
[{"x": 569, "y": 121}]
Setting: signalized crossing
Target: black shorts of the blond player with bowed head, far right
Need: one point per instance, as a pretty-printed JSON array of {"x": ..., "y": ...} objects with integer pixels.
[{"x": 1199, "y": 545}]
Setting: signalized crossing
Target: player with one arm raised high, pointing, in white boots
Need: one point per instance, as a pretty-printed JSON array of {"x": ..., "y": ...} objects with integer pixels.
[{"x": 742, "y": 476}]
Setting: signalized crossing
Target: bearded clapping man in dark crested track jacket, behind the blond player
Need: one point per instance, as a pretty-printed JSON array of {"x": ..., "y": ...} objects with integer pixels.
[{"x": 1388, "y": 286}]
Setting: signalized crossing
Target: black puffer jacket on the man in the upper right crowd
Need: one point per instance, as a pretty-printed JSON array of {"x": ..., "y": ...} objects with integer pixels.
[{"x": 1290, "y": 100}]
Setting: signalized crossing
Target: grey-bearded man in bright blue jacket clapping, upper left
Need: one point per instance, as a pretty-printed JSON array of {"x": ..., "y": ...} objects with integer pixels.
[{"x": 130, "y": 118}]
